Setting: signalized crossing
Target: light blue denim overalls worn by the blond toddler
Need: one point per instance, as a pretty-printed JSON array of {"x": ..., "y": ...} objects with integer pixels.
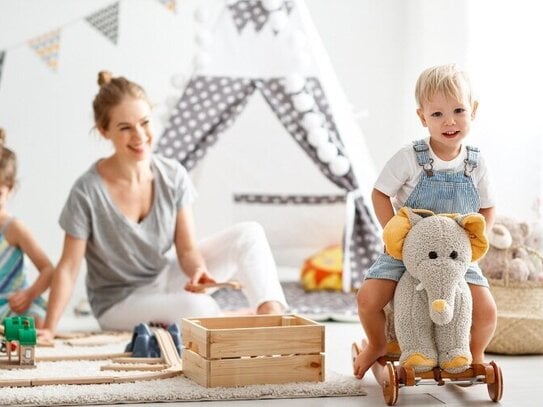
[{"x": 440, "y": 192}]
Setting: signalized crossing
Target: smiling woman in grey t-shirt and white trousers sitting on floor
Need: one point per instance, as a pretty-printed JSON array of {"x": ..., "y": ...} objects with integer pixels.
[{"x": 129, "y": 214}]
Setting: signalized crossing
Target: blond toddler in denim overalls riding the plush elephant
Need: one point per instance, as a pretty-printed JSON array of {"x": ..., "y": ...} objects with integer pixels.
[{"x": 439, "y": 173}]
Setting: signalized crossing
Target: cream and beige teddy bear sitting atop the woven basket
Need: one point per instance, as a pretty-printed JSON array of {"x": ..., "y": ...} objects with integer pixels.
[{"x": 509, "y": 251}]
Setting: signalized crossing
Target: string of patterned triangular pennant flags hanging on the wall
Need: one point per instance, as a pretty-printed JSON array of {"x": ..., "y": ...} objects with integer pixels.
[{"x": 105, "y": 21}]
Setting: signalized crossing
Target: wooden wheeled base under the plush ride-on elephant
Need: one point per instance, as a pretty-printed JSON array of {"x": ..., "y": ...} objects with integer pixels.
[{"x": 391, "y": 377}]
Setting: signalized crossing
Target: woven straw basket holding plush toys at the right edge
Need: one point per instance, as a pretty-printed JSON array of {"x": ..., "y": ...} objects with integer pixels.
[{"x": 520, "y": 316}]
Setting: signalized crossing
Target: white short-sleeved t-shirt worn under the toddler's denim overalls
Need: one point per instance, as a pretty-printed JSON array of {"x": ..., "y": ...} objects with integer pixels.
[{"x": 401, "y": 174}]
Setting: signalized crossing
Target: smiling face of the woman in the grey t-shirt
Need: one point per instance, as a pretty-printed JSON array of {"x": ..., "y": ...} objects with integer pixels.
[{"x": 130, "y": 129}]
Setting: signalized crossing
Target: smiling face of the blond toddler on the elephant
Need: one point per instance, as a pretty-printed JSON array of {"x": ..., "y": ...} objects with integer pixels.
[{"x": 448, "y": 120}]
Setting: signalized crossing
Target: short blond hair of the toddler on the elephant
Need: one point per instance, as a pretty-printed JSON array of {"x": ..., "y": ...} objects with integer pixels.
[{"x": 447, "y": 79}]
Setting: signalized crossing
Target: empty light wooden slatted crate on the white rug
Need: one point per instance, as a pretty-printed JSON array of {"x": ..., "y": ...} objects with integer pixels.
[{"x": 260, "y": 349}]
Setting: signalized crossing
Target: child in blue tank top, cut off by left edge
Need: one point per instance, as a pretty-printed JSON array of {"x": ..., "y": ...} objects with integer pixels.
[{"x": 16, "y": 241}]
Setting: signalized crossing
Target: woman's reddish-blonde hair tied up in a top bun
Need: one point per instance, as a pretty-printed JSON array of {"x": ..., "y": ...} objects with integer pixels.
[{"x": 113, "y": 90}]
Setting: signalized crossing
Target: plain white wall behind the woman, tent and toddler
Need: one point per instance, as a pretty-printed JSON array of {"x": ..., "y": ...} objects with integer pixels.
[{"x": 378, "y": 47}]
